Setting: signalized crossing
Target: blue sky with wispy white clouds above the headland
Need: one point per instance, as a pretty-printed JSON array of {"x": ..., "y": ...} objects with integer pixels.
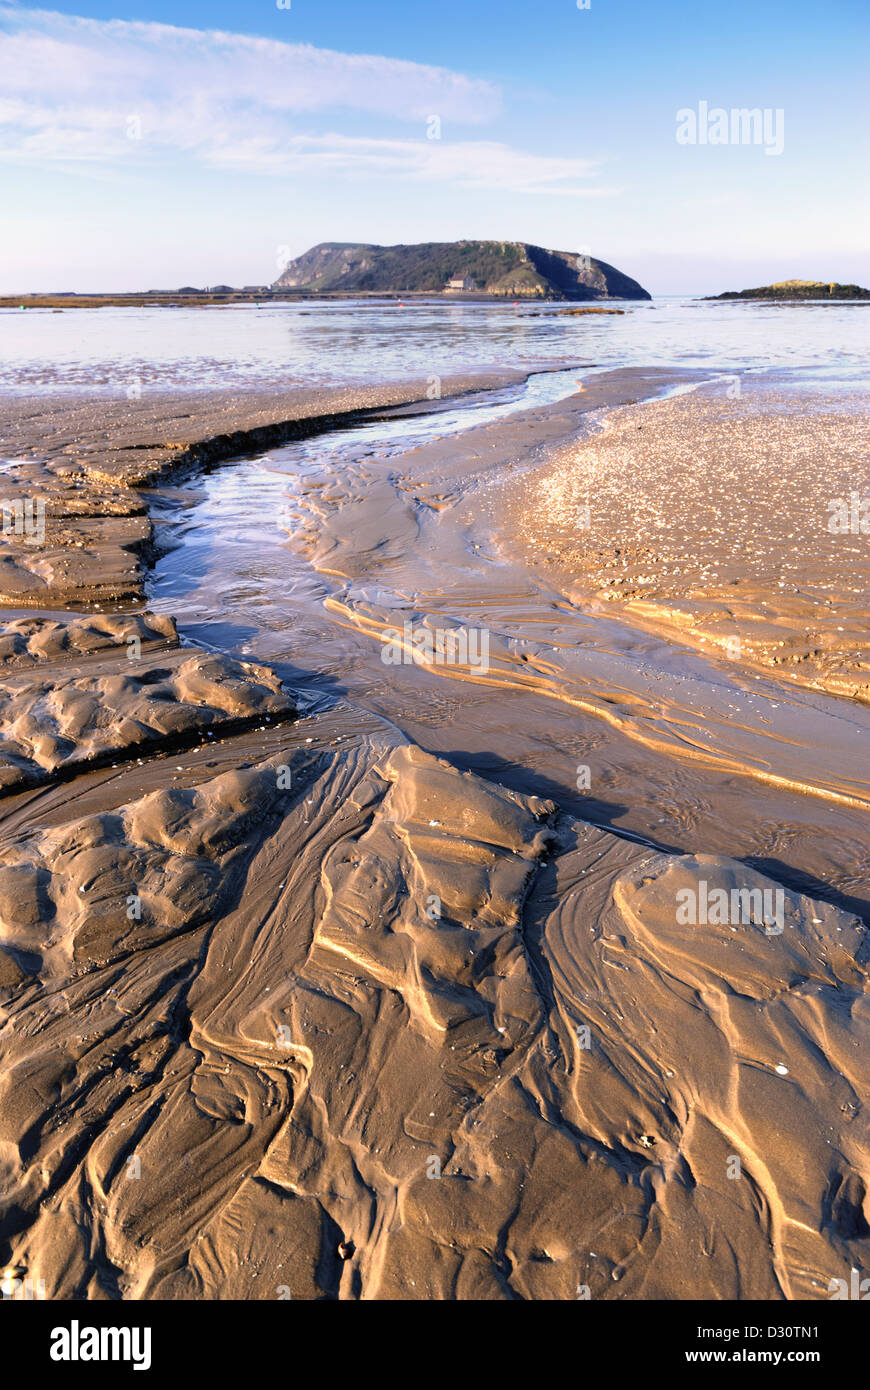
[{"x": 155, "y": 145}]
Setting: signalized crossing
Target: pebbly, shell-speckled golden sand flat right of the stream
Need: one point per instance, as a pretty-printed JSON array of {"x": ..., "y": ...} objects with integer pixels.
[{"x": 736, "y": 523}]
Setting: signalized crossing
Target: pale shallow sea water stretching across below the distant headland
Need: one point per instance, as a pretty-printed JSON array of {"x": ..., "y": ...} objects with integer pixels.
[{"x": 345, "y": 341}]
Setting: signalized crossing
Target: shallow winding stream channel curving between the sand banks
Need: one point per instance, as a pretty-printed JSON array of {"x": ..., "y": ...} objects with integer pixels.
[{"x": 305, "y": 558}]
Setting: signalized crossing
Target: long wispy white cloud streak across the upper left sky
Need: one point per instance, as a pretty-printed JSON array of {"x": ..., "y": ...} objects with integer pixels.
[{"x": 102, "y": 92}]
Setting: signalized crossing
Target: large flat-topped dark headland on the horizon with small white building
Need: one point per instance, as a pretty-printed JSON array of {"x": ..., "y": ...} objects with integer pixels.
[{"x": 501, "y": 269}]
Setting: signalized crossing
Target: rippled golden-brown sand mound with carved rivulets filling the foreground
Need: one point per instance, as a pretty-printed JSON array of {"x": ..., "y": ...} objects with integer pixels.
[{"x": 350, "y": 1007}]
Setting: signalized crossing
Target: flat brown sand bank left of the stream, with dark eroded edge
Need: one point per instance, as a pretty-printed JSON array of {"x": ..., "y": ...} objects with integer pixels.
[{"x": 76, "y": 530}]
